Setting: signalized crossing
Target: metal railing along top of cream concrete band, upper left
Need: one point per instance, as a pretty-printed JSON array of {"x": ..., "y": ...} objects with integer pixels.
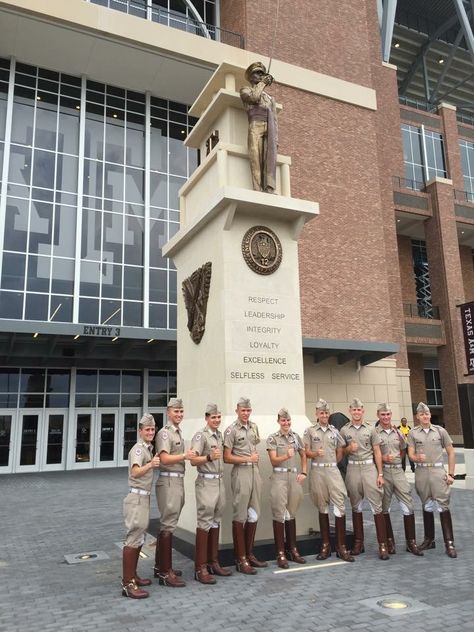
[{"x": 146, "y": 10}]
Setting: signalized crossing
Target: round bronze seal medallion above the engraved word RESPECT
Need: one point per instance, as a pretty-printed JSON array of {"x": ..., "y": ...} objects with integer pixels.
[{"x": 262, "y": 250}]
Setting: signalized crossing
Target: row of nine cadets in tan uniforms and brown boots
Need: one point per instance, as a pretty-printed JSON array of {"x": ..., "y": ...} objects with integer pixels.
[{"x": 374, "y": 473}]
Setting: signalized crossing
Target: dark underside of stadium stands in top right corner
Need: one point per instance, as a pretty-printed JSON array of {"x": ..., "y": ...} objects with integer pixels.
[{"x": 432, "y": 44}]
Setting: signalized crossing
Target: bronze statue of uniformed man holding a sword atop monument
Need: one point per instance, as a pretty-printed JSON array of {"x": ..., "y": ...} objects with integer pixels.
[{"x": 263, "y": 128}]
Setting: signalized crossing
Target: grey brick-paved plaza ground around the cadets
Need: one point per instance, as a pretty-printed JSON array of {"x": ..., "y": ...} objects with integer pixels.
[{"x": 44, "y": 517}]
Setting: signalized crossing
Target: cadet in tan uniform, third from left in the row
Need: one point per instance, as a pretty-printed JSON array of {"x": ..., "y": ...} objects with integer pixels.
[{"x": 208, "y": 445}]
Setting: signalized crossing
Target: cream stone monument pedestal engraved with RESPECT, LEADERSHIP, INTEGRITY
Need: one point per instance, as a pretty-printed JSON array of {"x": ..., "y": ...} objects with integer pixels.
[{"x": 252, "y": 344}]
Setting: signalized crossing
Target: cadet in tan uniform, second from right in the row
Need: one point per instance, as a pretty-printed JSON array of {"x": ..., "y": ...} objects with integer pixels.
[{"x": 392, "y": 446}]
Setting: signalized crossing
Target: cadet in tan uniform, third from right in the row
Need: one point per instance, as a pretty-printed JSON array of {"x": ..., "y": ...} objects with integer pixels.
[{"x": 364, "y": 479}]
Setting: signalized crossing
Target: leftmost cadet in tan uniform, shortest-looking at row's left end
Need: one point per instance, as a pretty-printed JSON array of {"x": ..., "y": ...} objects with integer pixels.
[{"x": 136, "y": 506}]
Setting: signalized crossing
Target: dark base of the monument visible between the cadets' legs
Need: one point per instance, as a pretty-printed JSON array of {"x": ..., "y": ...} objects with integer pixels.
[{"x": 308, "y": 545}]
